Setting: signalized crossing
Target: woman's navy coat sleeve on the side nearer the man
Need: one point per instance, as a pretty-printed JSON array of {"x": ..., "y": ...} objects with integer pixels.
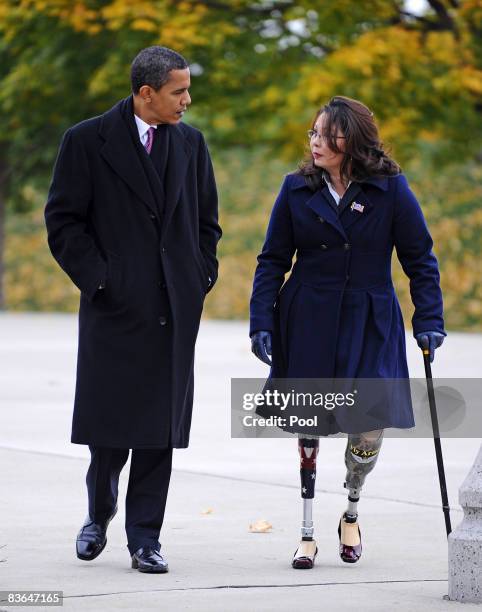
[{"x": 274, "y": 261}]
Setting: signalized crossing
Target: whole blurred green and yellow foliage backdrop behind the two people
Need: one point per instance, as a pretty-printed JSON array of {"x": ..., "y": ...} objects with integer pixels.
[{"x": 260, "y": 69}]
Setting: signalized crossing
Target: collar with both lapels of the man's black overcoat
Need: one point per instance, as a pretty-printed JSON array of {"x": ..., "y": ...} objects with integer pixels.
[{"x": 120, "y": 153}]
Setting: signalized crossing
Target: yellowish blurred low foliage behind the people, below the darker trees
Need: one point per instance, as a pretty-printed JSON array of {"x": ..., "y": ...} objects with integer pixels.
[{"x": 248, "y": 185}]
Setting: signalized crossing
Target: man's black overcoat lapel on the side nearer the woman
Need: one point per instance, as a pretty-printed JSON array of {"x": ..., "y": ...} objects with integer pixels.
[{"x": 177, "y": 164}]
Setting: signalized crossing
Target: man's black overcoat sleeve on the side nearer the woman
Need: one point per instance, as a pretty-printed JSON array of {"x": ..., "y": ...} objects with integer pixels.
[{"x": 209, "y": 229}]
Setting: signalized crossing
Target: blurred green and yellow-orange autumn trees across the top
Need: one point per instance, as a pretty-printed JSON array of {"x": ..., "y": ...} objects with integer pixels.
[{"x": 259, "y": 69}]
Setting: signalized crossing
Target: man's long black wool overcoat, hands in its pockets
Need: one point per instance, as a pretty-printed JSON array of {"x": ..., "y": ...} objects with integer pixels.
[{"x": 110, "y": 218}]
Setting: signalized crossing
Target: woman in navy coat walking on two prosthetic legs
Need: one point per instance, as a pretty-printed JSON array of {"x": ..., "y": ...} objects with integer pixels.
[{"x": 337, "y": 316}]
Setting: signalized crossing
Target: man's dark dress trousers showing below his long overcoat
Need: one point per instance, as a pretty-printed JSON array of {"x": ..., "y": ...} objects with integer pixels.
[{"x": 149, "y": 477}]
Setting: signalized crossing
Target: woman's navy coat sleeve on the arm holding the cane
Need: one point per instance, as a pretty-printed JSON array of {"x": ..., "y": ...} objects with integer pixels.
[{"x": 414, "y": 244}]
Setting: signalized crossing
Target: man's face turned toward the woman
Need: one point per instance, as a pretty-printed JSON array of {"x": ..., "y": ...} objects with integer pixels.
[{"x": 171, "y": 101}]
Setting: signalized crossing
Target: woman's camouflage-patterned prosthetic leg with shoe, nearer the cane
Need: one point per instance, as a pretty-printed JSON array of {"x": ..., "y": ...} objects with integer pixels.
[{"x": 361, "y": 454}]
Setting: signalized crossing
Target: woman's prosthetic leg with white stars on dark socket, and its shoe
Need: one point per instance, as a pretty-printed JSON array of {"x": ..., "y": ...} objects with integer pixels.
[{"x": 304, "y": 557}]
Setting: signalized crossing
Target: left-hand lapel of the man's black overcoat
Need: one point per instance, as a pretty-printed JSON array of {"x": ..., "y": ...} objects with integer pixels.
[{"x": 121, "y": 155}]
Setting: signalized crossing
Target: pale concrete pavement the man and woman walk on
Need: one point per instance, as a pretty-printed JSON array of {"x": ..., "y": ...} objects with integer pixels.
[{"x": 216, "y": 564}]
